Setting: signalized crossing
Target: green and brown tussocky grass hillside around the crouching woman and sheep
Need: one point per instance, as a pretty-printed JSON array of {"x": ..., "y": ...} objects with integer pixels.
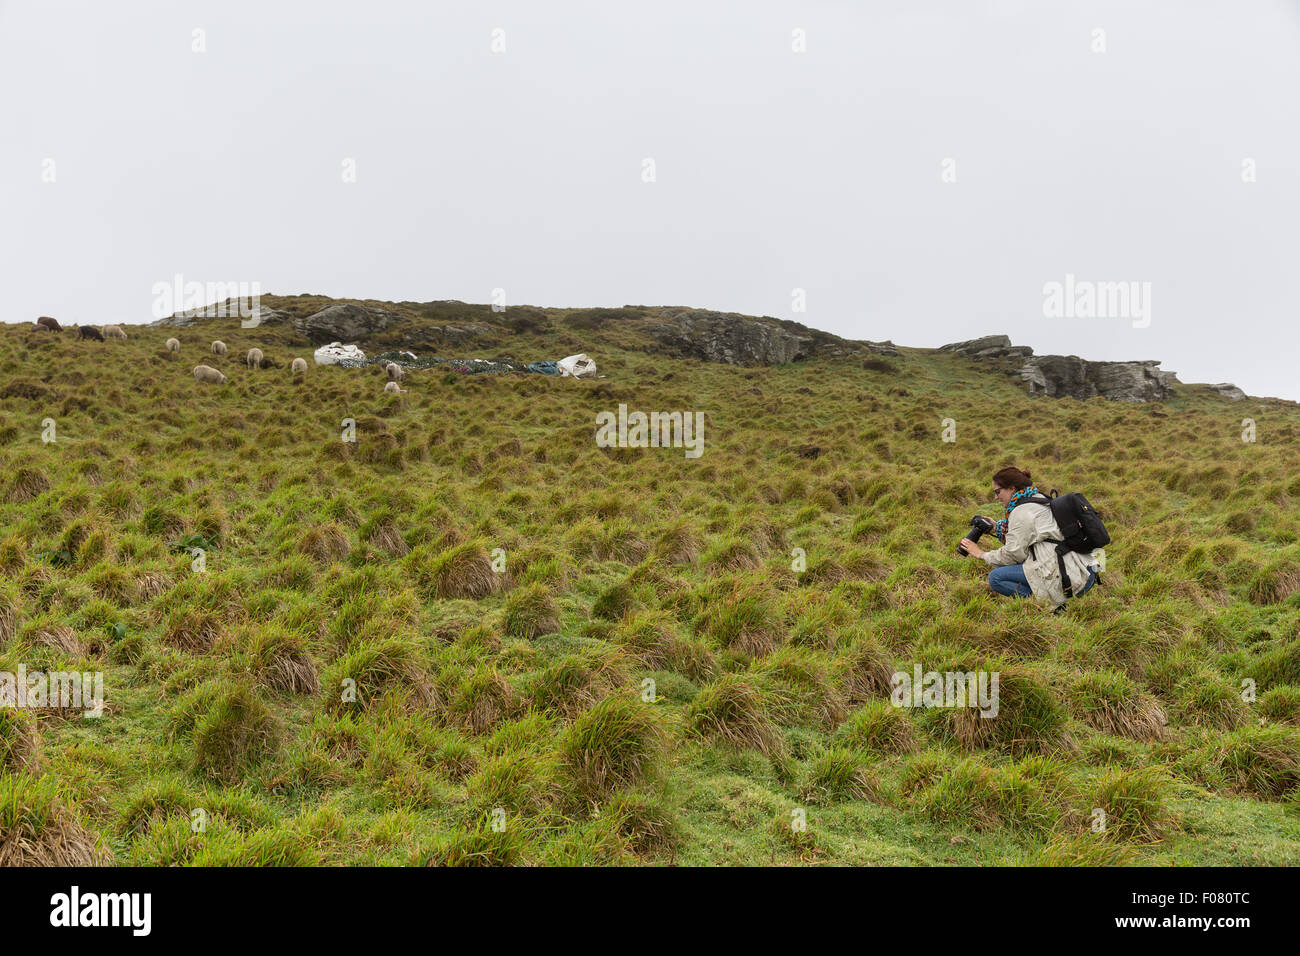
[{"x": 518, "y": 697}]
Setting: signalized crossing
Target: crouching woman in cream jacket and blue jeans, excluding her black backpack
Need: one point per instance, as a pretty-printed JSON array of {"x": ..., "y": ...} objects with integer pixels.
[{"x": 1026, "y": 564}]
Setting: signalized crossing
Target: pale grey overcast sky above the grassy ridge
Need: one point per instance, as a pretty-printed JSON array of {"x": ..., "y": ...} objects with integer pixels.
[{"x": 824, "y": 171}]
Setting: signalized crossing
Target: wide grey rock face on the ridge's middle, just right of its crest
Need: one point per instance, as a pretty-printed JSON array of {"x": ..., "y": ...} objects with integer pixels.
[{"x": 730, "y": 339}]
